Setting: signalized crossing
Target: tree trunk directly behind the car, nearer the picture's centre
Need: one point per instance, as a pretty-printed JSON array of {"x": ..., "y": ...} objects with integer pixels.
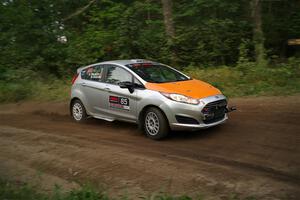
[{"x": 168, "y": 20}]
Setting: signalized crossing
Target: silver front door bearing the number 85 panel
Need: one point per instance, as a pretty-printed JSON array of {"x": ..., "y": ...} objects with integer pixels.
[{"x": 120, "y": 103}]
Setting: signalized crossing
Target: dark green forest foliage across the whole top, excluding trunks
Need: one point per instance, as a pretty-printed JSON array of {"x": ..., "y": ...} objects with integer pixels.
[{"x": 207, "y": 32}]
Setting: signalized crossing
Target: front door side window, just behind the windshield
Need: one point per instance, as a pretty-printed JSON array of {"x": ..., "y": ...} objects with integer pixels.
[{"x": 116, "y": 75}]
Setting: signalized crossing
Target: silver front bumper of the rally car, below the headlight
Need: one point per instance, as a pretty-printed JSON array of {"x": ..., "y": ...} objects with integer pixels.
[{"x": 173, "y": 109}]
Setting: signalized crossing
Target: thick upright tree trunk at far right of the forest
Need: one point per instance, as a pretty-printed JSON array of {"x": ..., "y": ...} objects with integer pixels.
[{"x": 258, "y": 35}]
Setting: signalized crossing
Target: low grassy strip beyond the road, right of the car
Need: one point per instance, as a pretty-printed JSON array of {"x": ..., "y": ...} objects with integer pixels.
[{"x": 246, "y": 79}]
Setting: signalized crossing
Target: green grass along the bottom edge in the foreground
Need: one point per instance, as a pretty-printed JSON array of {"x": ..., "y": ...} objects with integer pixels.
[{"x": 21, "y": 191}]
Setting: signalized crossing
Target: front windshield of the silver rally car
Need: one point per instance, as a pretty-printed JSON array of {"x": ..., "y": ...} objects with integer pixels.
[{"x": 156, "y": 73}]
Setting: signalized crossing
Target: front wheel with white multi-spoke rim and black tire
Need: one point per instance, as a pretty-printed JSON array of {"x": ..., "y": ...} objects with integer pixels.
[{"x": 155, "y": 123}]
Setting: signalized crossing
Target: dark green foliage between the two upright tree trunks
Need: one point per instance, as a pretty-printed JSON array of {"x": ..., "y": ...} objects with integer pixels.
[{"x": 209, "y": 32}]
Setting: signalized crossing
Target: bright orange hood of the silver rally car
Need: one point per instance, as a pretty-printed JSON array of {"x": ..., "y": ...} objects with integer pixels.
[{"x": 191, "y": 88}]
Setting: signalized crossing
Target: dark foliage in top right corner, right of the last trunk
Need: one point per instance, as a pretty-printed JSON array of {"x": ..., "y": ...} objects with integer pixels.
[{"x": 281, "y": 21}]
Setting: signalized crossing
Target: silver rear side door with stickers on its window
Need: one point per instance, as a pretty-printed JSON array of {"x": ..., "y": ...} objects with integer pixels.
[{"x": 93, "y": 88}]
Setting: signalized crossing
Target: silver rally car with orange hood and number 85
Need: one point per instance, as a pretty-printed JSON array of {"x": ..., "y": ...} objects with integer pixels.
[{"x": 157, "y": 97}]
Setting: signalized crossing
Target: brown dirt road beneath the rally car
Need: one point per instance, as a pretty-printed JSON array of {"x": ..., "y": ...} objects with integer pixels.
[{"x": 256, "y": 153}]
